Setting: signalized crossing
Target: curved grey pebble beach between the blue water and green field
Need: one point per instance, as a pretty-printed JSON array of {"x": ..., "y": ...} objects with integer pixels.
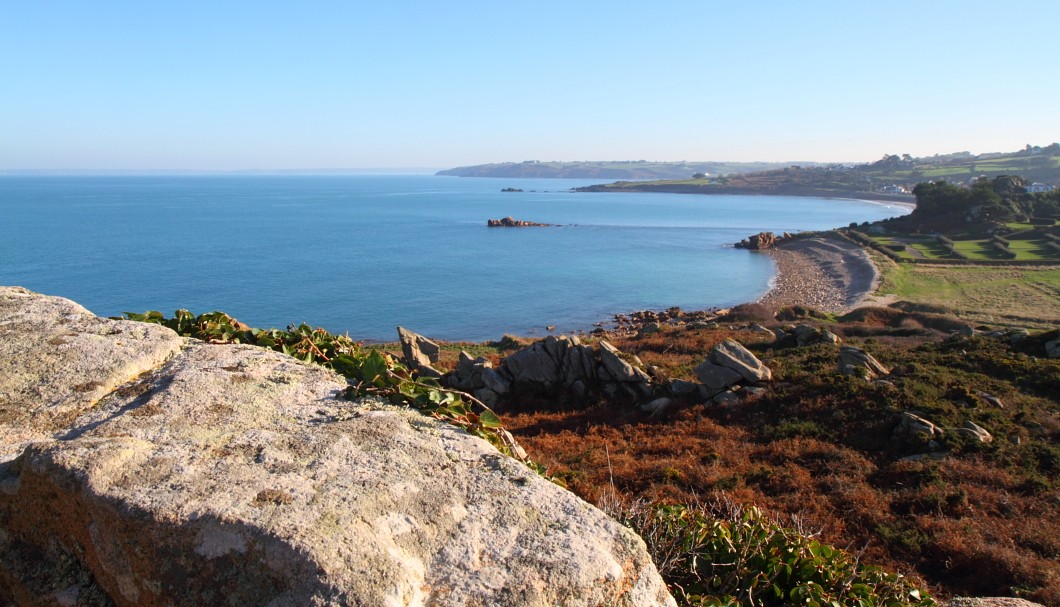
[{"x": 822, "y": 273}]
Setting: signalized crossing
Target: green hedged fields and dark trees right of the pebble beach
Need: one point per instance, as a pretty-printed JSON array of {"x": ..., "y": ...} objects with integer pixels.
[{"x": 990, "y": 253}]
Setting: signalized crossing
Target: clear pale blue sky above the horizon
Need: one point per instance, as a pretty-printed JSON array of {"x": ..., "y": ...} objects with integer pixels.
[{"x": 117, "y": 85}]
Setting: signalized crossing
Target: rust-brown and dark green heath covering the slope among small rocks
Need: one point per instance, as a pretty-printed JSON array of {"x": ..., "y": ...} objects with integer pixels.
[{"x": 982, "y": 521}]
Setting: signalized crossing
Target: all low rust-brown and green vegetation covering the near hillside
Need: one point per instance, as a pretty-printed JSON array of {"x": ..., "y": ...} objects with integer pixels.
[{"x": 817, "y": 449}]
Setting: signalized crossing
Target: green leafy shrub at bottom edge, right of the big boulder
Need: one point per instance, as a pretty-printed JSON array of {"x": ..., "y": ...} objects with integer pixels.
[{"x": 748, "y": 560}]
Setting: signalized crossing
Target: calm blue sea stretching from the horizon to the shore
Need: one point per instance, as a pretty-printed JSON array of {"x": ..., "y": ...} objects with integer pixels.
[{"x": 364, "y": 254}]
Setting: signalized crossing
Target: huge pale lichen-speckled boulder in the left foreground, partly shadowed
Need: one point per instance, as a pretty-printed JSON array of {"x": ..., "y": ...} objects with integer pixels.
[{"x": 143, "y": 469}]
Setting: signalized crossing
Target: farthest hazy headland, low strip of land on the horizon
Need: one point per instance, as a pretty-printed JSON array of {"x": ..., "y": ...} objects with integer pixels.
[{"x": 611, "y": 170}]
